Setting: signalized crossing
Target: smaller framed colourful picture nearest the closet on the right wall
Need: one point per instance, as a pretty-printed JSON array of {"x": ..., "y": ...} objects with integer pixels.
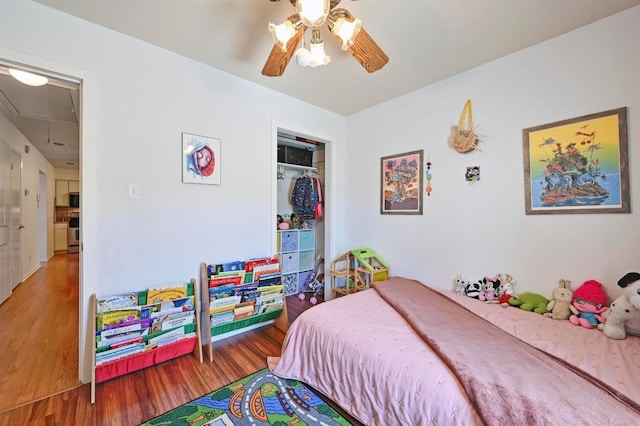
[{"x": 401, "y": 183}]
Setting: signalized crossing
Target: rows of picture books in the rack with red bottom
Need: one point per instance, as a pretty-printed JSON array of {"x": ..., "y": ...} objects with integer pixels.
[{"x": 132, "y": 323}]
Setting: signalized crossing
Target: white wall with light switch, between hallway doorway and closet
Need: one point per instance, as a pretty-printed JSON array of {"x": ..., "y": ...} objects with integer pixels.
[{"x": 137, "y": 100}]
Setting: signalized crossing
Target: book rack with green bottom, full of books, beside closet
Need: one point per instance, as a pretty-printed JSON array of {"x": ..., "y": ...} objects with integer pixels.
[{"x": 241, "y": 296}]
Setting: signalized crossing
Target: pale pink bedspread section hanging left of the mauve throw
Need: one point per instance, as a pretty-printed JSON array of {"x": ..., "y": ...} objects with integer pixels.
[{"x": 358, "y": 351}]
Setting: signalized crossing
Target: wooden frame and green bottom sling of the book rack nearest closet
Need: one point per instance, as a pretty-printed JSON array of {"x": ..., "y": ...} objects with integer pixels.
[{"x": 211, "y": 334}]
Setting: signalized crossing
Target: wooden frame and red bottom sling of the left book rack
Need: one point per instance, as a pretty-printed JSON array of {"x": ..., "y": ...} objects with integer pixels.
[{"x": 147, "y": 358}]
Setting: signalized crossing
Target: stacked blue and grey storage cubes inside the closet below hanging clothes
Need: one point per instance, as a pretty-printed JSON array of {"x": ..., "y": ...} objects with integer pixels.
[{"x": 296, "y": 249}]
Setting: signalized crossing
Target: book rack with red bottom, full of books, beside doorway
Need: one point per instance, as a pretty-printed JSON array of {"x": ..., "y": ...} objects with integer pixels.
[{"x": 136, "y": 330}]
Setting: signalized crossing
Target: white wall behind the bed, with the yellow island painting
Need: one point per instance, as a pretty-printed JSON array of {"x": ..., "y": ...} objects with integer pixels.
[{"x": 482, "y": 229}]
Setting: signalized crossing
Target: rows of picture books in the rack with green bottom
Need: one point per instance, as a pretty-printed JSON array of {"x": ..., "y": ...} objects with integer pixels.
[{"x": 241, "y": 289}]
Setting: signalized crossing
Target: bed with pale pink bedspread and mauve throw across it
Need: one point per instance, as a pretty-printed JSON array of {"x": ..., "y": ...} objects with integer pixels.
[{"x": 402, "y": 353}]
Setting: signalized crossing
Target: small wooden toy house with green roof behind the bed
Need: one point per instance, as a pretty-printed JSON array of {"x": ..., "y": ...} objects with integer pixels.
[{"x": 355, "y": 270}]
